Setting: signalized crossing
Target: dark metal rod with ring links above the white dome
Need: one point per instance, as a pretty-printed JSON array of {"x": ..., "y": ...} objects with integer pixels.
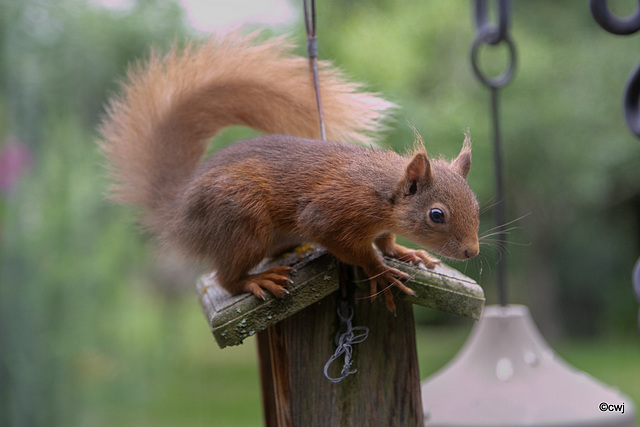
[{"x": 490, "y": 34}]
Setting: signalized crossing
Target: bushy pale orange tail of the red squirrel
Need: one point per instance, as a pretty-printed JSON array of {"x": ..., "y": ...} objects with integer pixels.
[{"x": 156, "y": 132}]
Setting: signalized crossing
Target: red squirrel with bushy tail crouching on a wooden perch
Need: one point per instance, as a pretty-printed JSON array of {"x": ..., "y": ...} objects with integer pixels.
[{"x": 257, "y": 197}]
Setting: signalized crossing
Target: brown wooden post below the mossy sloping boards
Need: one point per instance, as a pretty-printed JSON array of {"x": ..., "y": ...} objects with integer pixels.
[{"x": 384, "y": 392}]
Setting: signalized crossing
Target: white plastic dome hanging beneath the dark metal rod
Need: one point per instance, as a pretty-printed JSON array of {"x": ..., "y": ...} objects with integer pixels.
[{"x": 507, "y": 375}]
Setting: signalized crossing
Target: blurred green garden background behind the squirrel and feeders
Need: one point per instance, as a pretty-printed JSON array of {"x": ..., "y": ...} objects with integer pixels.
[{"x": 97, "y": 330}]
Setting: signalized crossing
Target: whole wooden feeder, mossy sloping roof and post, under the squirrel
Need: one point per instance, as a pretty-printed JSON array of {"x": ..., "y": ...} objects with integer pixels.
[{"x": 296, "y": 338}]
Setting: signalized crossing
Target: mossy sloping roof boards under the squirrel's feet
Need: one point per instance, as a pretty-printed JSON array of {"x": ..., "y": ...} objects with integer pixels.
[{"x": 234, "y": 318}]
